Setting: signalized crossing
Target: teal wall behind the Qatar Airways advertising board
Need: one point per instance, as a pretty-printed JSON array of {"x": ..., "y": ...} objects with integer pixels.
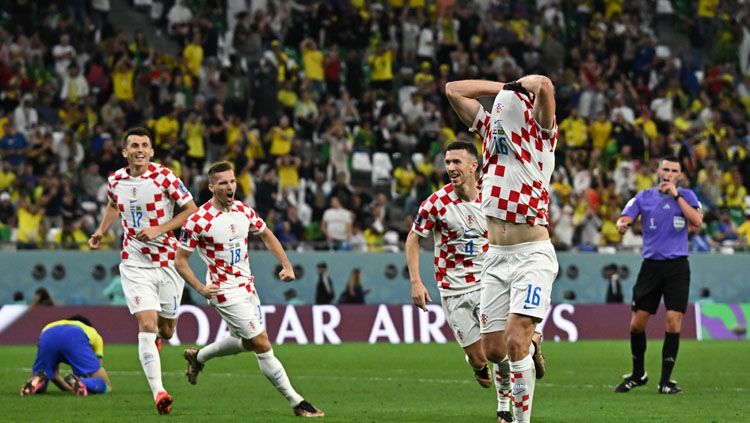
[{"x": 79, "y": 278}]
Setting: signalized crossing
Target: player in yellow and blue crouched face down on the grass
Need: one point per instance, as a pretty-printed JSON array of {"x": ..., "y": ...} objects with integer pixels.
[{"x": 73, "y": 341}]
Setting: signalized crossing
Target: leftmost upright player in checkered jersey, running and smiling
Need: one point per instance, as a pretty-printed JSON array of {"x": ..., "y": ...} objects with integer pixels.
[{"x": 144, "y": 195}]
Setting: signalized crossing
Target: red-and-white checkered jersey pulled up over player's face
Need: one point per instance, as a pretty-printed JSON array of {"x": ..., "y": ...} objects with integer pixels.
[{"x": 518, "y": 160}]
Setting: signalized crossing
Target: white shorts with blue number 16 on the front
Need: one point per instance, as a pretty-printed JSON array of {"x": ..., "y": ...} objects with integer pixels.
[{"x": 516, "y": 279}]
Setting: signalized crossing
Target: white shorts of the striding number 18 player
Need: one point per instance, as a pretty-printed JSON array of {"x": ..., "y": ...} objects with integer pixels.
[{"x": 241, "y": 310}]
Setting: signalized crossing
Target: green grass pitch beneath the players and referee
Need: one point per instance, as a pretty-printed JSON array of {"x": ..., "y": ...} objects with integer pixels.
[{"x": 362, "y": 383}]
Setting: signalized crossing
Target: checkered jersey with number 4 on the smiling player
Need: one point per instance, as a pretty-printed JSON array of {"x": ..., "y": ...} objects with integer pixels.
[{"x": 460, "y": 233}]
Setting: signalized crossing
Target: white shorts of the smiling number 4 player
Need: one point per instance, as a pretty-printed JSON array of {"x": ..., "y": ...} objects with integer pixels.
[{"x": 462, "y": 313}]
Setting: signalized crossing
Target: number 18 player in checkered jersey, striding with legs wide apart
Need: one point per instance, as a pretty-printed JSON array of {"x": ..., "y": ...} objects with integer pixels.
[{"x": 220, "y": 229}]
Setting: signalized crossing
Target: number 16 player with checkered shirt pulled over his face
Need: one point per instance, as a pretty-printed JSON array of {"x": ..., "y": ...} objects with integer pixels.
[{"x": 519, "y": 137}]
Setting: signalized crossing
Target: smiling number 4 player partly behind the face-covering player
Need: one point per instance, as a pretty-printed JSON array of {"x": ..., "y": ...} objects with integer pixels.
[{"x": 454, "y": 217}]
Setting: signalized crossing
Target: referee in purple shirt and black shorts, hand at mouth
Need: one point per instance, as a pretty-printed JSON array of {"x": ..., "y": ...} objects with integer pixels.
[{"x": 666, "y": 213}]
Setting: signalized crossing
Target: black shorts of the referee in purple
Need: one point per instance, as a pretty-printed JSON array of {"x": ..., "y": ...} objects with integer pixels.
[{"x": 670, "y": 278}]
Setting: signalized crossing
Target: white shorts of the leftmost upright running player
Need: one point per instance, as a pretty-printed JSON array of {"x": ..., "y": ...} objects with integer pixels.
[{"x": 152, "y": 288}]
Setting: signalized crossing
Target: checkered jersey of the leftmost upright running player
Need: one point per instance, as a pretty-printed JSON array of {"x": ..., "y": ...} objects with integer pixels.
[{"x": 147, "y": 201}]
